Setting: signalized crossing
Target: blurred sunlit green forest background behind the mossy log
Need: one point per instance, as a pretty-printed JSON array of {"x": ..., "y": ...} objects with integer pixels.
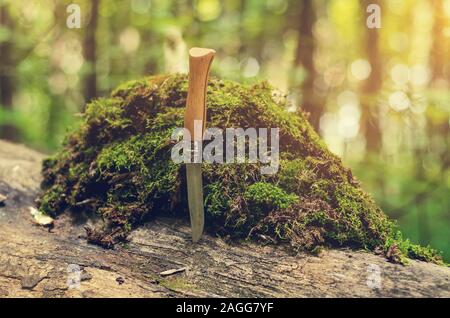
[{"x": 379, "y": 97}]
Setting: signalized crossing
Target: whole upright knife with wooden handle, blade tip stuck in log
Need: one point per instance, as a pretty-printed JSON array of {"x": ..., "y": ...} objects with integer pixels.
[{"x": 200, "y": 60}]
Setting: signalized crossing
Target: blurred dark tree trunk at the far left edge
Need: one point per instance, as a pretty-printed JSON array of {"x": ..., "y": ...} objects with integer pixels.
[{"x": 7, "y": 131}]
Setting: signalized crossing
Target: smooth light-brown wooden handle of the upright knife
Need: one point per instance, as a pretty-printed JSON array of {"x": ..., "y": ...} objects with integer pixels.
[{"x": 199, "y": 63}]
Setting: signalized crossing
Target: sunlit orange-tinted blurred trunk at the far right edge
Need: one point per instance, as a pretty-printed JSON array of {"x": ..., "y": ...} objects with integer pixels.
[{"x": 440, "y": 44}]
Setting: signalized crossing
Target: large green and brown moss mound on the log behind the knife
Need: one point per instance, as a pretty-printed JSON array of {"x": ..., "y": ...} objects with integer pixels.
[{"x": 118, "y": 164}]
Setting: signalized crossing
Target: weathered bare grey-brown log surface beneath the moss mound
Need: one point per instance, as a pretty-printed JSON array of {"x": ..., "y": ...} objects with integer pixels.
[{"x": 35, "y": 262}]
